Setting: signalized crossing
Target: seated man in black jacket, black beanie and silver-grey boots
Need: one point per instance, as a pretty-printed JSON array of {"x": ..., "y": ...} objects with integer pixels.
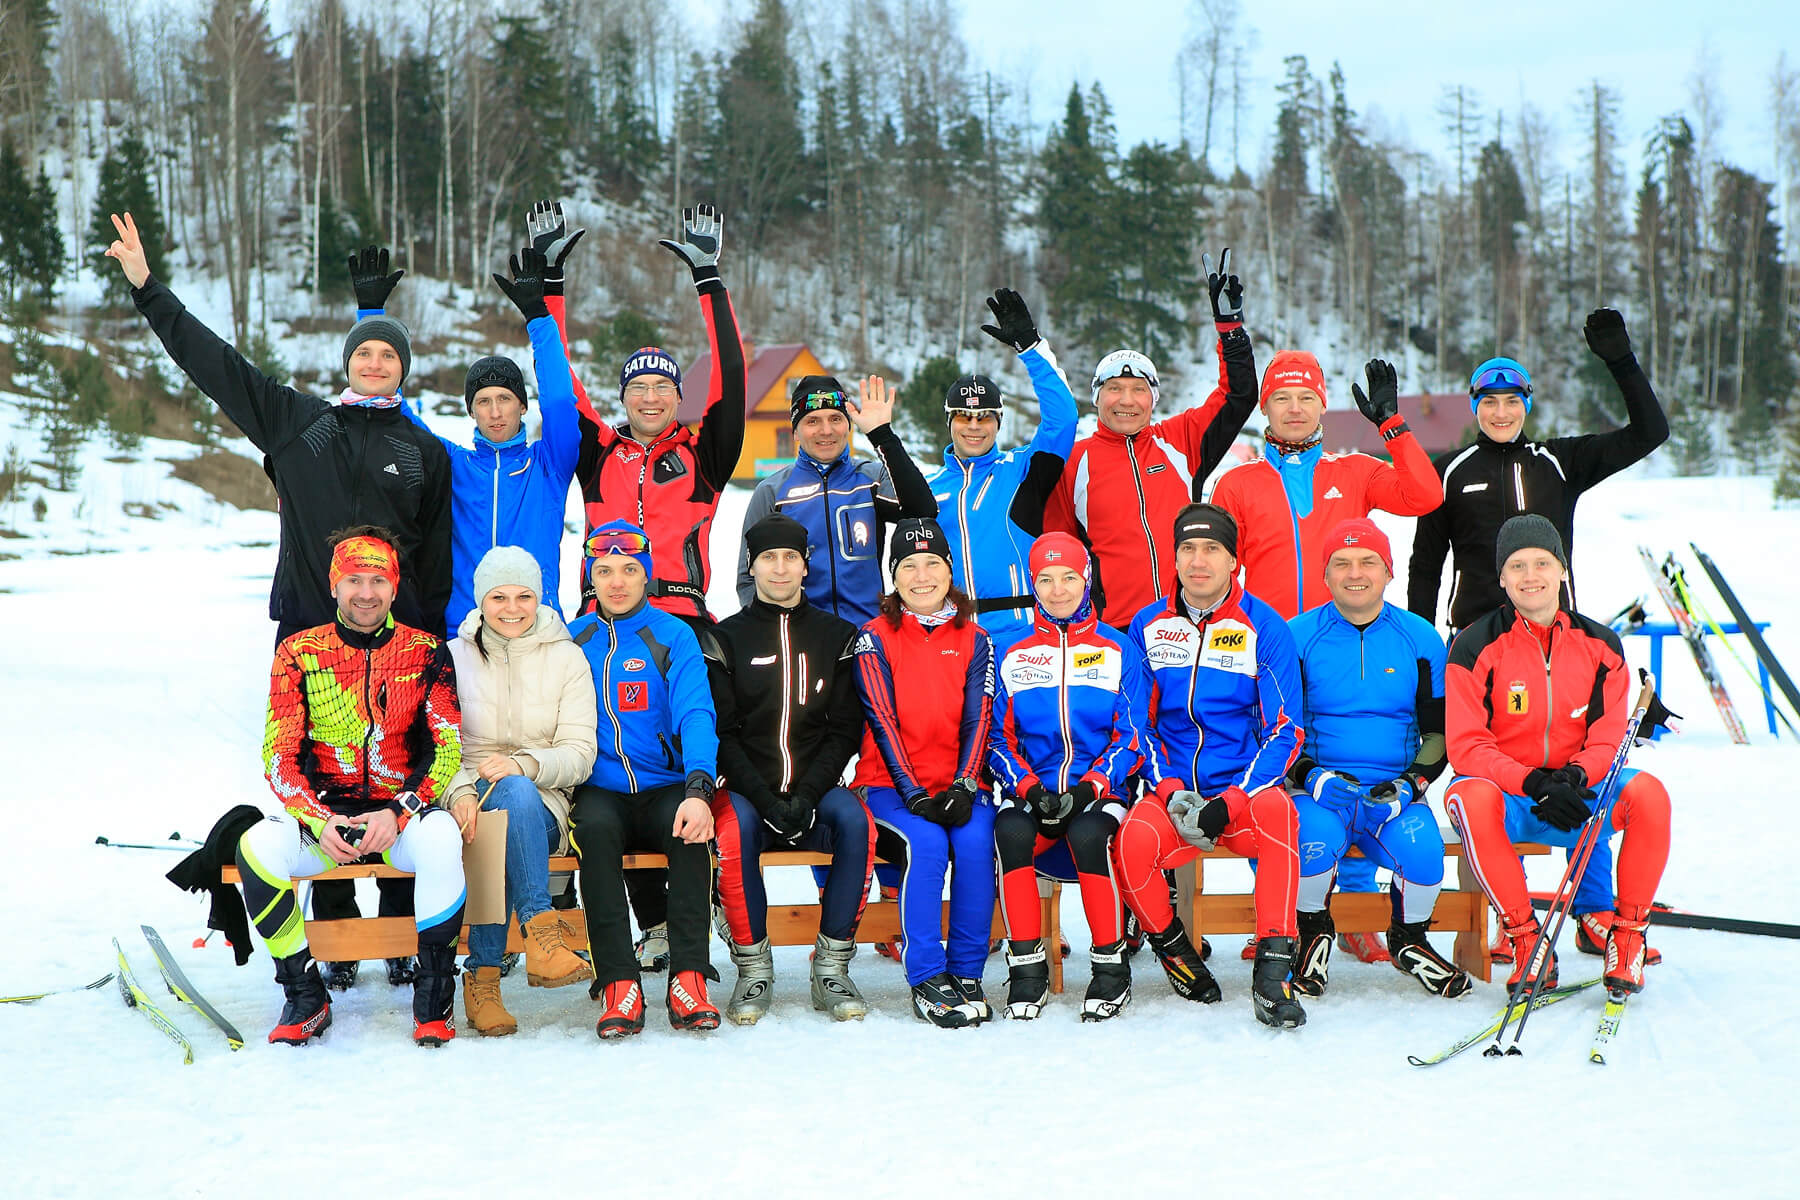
[{"x": 789, "y": 719}]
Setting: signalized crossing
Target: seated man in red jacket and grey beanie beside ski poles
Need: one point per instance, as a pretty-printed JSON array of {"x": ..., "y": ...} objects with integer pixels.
[{"x": 1536, "y": 706}]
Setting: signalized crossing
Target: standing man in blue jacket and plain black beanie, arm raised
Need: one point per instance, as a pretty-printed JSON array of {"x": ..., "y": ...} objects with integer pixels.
[{"x": 505, "y": 490}]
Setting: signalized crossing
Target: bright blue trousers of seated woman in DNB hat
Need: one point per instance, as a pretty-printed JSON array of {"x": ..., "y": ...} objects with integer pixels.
[{"x": 928, "y": 852}]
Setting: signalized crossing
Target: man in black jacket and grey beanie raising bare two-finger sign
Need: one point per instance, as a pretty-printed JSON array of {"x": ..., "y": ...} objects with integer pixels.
[{"x": 336, "y": 465}]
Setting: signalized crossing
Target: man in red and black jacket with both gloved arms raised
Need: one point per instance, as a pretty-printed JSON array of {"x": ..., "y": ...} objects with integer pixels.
[{"x": 654, "y": 470}]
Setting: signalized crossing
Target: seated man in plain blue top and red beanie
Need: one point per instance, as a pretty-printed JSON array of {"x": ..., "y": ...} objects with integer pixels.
[{"x": 1374, "y": 715}]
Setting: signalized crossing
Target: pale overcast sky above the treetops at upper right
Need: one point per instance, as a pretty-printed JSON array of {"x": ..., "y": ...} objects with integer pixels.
[{"x": 1399, "y": 57}]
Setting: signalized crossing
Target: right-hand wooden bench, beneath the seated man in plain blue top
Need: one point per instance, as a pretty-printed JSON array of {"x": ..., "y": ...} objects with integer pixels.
[{"x": 1462, "y": 909}]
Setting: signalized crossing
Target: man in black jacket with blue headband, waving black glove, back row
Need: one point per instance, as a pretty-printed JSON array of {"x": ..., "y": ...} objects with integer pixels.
[{"x": 1504, "y": 476}]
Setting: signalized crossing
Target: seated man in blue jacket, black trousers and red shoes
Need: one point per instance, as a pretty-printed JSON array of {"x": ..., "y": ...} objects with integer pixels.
[{"x": 652, "y": 785}]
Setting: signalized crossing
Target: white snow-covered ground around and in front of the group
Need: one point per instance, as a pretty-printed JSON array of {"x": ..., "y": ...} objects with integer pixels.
[{"x": 132, "y": 704}]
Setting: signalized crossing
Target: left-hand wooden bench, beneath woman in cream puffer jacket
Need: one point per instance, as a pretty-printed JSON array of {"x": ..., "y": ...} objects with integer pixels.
[{"x": 789, "y": 926}]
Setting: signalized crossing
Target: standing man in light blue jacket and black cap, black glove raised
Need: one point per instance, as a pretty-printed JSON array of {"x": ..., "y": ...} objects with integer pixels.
[{"x": 993, "y": 501}]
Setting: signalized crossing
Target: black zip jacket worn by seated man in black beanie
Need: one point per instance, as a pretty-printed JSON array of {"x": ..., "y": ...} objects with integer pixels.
[{"x": 786, "y": 692}]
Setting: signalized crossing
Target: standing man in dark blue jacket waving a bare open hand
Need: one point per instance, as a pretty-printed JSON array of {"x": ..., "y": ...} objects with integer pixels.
[{"x": 845, "y": 503}]
